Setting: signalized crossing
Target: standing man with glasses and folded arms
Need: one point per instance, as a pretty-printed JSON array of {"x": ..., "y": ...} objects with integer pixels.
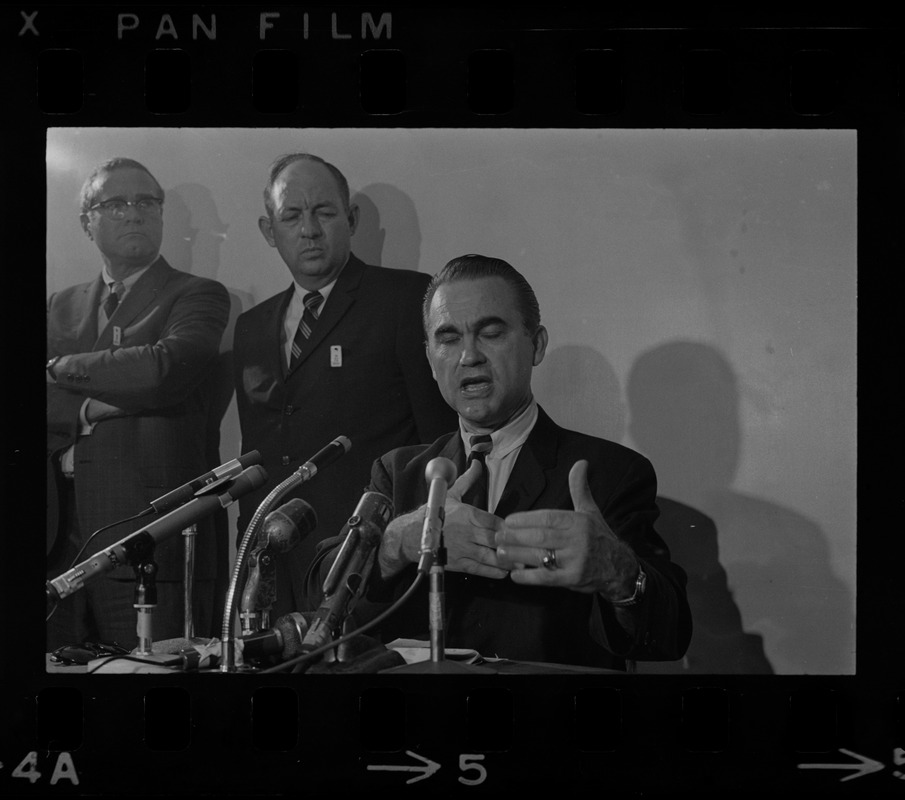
[{"x": 127, "y": 410}]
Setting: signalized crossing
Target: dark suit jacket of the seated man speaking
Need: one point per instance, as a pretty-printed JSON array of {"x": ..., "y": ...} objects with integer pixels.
[{"x": 505, "y": 619}]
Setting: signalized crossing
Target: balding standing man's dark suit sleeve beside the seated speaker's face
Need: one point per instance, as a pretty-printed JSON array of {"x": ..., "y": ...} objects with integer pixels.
[{"x": 433, "y": 417}]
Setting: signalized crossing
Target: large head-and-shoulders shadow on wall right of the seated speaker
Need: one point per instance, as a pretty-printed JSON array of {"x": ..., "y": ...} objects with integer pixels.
[{"x": 762, "y": 591}]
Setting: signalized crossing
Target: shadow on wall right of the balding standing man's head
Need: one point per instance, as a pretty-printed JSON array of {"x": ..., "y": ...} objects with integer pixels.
[{"x": 382, "y": 209}]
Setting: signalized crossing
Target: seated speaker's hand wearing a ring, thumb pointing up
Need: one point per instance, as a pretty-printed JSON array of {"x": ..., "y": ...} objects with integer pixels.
[{"x": 589, "y": 557}]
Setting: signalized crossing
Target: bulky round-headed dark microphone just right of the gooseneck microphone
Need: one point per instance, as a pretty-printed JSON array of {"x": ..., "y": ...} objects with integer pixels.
[{"x": 283, "y": 529}]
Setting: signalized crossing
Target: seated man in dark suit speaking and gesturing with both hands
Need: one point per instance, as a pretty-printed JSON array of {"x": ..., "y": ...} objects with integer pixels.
[{"x": 567, "y": 568}]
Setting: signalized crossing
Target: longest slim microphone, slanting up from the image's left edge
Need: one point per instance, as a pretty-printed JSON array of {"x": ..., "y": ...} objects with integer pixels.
[{"x": 132, "y": 548}]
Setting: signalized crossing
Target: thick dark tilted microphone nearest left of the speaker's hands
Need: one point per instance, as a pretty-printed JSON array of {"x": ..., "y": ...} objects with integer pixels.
[{"x": 348, "y": 576}]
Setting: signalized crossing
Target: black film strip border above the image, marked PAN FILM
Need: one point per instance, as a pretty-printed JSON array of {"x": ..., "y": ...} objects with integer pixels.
[{"x": 379, "y": 66}]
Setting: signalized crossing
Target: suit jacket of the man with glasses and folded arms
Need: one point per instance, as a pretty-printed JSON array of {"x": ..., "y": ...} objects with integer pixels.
[{"x": 171, "y": 324}]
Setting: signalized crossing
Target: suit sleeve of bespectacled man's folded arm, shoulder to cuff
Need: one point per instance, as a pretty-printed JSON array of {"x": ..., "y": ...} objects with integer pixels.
[{"x": 163, "y": 372}]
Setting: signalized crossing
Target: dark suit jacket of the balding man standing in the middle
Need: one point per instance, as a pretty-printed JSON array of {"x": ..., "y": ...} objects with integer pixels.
[{"x": 382, "y": 396}]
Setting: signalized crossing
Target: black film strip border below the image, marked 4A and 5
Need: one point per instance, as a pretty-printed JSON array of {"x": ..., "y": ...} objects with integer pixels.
[{"x": 545, "y": 734}]
